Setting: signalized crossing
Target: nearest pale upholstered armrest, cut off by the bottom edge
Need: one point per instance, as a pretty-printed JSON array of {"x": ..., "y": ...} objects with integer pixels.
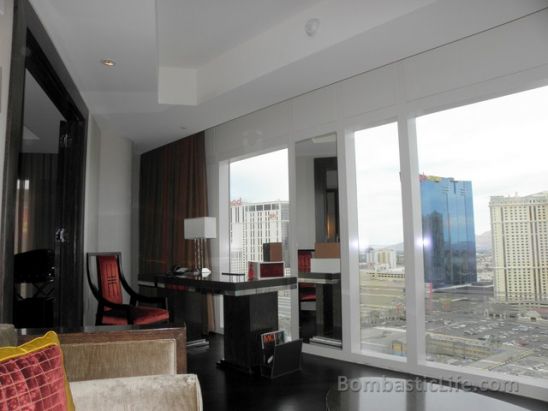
[{"x": 155, "y": 392}]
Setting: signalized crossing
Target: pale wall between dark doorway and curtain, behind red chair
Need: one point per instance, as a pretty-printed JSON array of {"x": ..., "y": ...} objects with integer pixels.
[{"x": 108, "y": 209}]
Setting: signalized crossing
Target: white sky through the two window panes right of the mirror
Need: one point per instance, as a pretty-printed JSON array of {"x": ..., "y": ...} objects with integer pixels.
[{"x": 500, "y": 145}]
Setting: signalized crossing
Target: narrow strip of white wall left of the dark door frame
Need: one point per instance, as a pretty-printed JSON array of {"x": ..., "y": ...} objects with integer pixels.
[{"x": 6, "y": 22}]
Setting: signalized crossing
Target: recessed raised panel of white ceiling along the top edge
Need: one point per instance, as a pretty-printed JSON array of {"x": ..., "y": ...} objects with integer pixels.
[{"x": 192, "y": 33}]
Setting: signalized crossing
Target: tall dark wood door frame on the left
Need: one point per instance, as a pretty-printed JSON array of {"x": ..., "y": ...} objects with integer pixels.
[{"x": 32, "y": 49}]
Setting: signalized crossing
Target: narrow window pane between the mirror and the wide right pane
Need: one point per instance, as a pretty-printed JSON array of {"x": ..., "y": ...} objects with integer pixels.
[{"x": 382, "y": 276}]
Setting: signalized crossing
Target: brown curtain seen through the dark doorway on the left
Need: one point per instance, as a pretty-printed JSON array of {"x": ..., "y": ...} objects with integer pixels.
[{"x": 36, "y": 192}]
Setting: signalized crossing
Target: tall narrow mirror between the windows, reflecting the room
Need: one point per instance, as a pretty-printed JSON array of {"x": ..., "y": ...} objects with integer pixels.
[{"x": 317, "y": 239}]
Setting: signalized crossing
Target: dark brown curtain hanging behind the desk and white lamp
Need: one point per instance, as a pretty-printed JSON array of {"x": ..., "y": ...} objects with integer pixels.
[{"x": 173, "y": 186}]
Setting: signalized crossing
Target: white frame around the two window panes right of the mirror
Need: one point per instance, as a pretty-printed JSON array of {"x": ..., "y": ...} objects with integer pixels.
[{"x": 416, "y": 362}]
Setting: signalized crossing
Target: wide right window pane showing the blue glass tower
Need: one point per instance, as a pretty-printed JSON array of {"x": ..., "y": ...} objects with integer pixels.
[{"x": 484, "y": 195}]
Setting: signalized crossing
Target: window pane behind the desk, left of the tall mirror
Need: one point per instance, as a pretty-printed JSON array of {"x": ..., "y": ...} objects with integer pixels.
[{"x": 259, "y": 214}]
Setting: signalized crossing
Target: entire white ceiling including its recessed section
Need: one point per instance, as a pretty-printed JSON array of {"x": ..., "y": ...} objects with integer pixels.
[{"x": 187, "y": 65}]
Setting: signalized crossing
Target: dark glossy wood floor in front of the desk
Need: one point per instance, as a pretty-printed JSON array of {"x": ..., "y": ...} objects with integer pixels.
[{"x": 301, "y": 391}]
